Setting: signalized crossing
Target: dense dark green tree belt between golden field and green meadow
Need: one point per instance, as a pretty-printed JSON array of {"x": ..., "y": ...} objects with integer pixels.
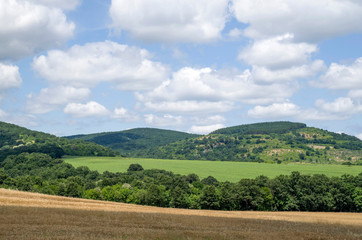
[{"x": 39, "y": 172}]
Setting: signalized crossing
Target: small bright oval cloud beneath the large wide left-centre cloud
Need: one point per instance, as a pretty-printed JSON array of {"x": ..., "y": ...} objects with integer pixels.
[{"x": 90, "y": 109}]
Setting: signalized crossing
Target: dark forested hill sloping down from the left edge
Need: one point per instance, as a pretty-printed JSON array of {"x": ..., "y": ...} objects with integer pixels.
[{"x": 15, "y": 140}]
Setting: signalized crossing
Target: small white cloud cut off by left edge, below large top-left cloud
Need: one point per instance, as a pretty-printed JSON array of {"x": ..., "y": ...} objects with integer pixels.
[{"x": 9, "y": 77}]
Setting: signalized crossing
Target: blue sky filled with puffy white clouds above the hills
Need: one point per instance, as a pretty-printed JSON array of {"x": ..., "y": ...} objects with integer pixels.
[{"x": 84, "y": 66}]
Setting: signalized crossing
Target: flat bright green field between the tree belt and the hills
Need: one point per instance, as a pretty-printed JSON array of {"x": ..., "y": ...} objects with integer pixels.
[{"x": 223, "y": 171}]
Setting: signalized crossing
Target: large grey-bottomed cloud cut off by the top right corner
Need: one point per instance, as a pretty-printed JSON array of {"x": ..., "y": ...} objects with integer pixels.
[{"x": 308, "y": 20}]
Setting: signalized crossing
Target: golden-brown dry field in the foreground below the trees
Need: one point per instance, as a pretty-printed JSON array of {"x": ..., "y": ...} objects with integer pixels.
[{"x": 36, "y": 216}]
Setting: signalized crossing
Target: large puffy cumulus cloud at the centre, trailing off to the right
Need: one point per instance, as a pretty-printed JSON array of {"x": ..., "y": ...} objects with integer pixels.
[{"x": 192, "y": 90}]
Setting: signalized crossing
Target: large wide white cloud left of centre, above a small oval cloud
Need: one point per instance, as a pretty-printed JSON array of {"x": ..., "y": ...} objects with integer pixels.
[{"x": 86, "y": 66}]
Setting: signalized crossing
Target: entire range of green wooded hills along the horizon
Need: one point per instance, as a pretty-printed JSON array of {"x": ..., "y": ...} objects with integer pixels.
[{"x": 273, "y": 142}]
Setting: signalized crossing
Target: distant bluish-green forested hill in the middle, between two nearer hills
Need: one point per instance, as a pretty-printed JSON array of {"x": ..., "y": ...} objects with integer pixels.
[{"x": 133, "y": 141}]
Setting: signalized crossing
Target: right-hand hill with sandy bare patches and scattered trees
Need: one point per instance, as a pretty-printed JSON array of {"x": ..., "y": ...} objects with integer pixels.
[{"x": 266, "y": 142}]
